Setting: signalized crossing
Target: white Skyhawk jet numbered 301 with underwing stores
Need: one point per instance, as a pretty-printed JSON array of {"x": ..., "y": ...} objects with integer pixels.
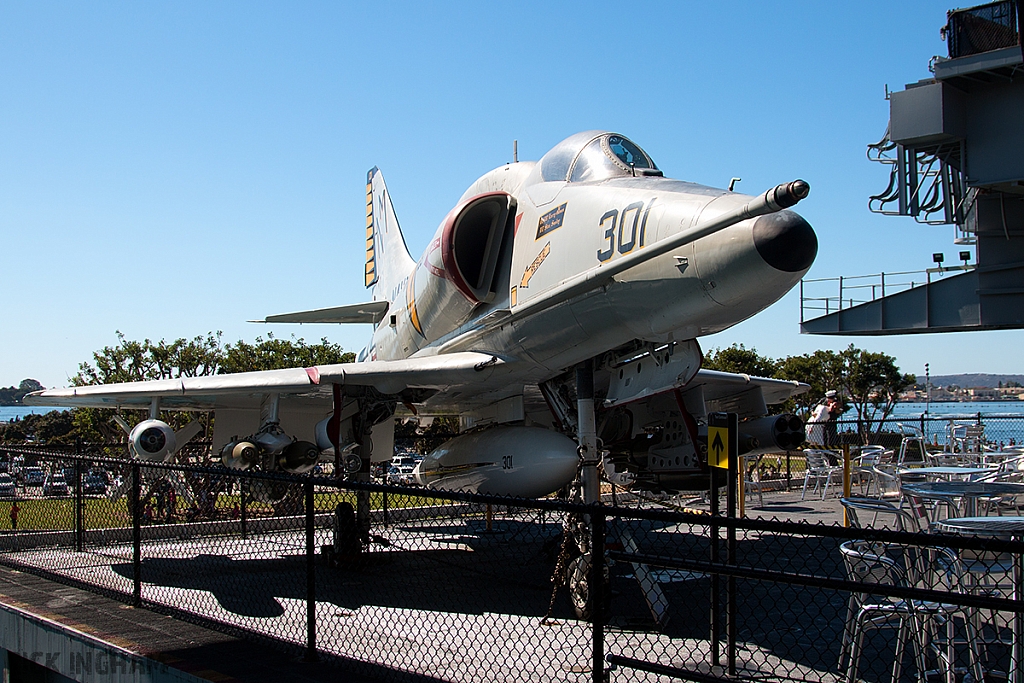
[{"x": 556, "y": 312}]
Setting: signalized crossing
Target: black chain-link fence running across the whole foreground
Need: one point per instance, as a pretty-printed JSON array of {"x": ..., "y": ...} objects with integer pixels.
[{"x": 407, "y": 584}]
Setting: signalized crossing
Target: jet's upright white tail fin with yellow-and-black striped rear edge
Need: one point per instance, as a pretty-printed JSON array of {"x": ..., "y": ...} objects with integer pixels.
[{"x": 388, "y": 257}]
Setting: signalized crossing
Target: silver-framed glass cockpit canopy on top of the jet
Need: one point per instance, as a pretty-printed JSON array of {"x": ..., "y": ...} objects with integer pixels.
[{"x": 596, "y": 156}]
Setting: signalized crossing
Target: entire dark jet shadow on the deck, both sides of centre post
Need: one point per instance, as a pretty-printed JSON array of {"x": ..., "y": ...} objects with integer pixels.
[{"x": 458, "y": 569}]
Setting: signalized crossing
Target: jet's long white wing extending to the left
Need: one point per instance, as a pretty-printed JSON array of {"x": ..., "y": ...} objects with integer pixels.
[{"x": 244, "y": 391}]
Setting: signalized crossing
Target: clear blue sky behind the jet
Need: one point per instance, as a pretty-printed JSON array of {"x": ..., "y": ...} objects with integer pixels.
[{"x": 172, "y": 169}]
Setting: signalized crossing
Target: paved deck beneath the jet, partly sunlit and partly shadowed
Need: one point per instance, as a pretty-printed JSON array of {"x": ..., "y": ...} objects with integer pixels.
[{"x": 470, "y": 605}]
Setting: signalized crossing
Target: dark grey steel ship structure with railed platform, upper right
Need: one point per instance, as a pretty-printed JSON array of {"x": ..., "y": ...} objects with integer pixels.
[{"x": 955, "y": 148}]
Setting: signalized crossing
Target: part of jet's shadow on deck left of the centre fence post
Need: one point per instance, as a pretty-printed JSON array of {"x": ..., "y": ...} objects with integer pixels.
[{"x": 444, "y": 569}]
